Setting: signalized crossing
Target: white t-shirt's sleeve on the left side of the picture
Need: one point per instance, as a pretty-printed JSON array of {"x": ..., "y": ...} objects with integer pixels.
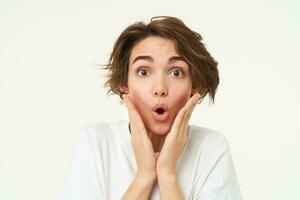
[{"x": 81, "y": 182}]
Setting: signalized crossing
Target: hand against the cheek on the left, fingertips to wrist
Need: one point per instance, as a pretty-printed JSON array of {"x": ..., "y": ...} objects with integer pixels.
[{"x": 141, "y": 143}]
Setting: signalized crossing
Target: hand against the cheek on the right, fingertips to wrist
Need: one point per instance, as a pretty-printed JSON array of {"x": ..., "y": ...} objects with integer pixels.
[{"x": 176, "y": 139}]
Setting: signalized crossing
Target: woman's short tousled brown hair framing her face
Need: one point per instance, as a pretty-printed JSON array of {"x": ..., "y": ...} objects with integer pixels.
[{"x": 188, "y": 44}]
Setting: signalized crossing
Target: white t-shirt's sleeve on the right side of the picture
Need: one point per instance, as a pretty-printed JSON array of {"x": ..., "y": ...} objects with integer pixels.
[{"x": 221, "y": 182}]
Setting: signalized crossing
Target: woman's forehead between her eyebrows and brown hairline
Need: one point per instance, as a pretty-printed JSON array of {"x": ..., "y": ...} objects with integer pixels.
[{"x": 154, "y": 46}]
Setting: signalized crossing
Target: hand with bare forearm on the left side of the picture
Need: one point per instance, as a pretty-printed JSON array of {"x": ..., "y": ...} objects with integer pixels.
[{"x": 142, "y": 184}]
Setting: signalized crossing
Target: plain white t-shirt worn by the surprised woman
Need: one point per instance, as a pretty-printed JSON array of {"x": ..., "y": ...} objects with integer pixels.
[{"x": 104, "y": 165}]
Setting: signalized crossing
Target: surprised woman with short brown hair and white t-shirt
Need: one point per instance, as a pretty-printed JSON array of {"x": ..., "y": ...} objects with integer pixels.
[{"x": 161, "y": 71}]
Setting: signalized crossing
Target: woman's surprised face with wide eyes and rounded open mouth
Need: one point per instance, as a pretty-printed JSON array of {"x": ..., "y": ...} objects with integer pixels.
[{"x": 157, "y": 75}]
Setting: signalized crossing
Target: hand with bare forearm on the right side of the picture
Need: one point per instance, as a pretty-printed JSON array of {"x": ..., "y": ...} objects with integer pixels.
[{"x": 173, "y": 146}]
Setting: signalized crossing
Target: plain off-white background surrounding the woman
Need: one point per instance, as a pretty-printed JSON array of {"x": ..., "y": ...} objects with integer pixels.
[{"x": 50, "y": 86}]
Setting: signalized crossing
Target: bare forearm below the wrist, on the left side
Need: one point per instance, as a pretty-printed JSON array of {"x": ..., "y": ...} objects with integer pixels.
[{"x": 140, "y": 188}]
